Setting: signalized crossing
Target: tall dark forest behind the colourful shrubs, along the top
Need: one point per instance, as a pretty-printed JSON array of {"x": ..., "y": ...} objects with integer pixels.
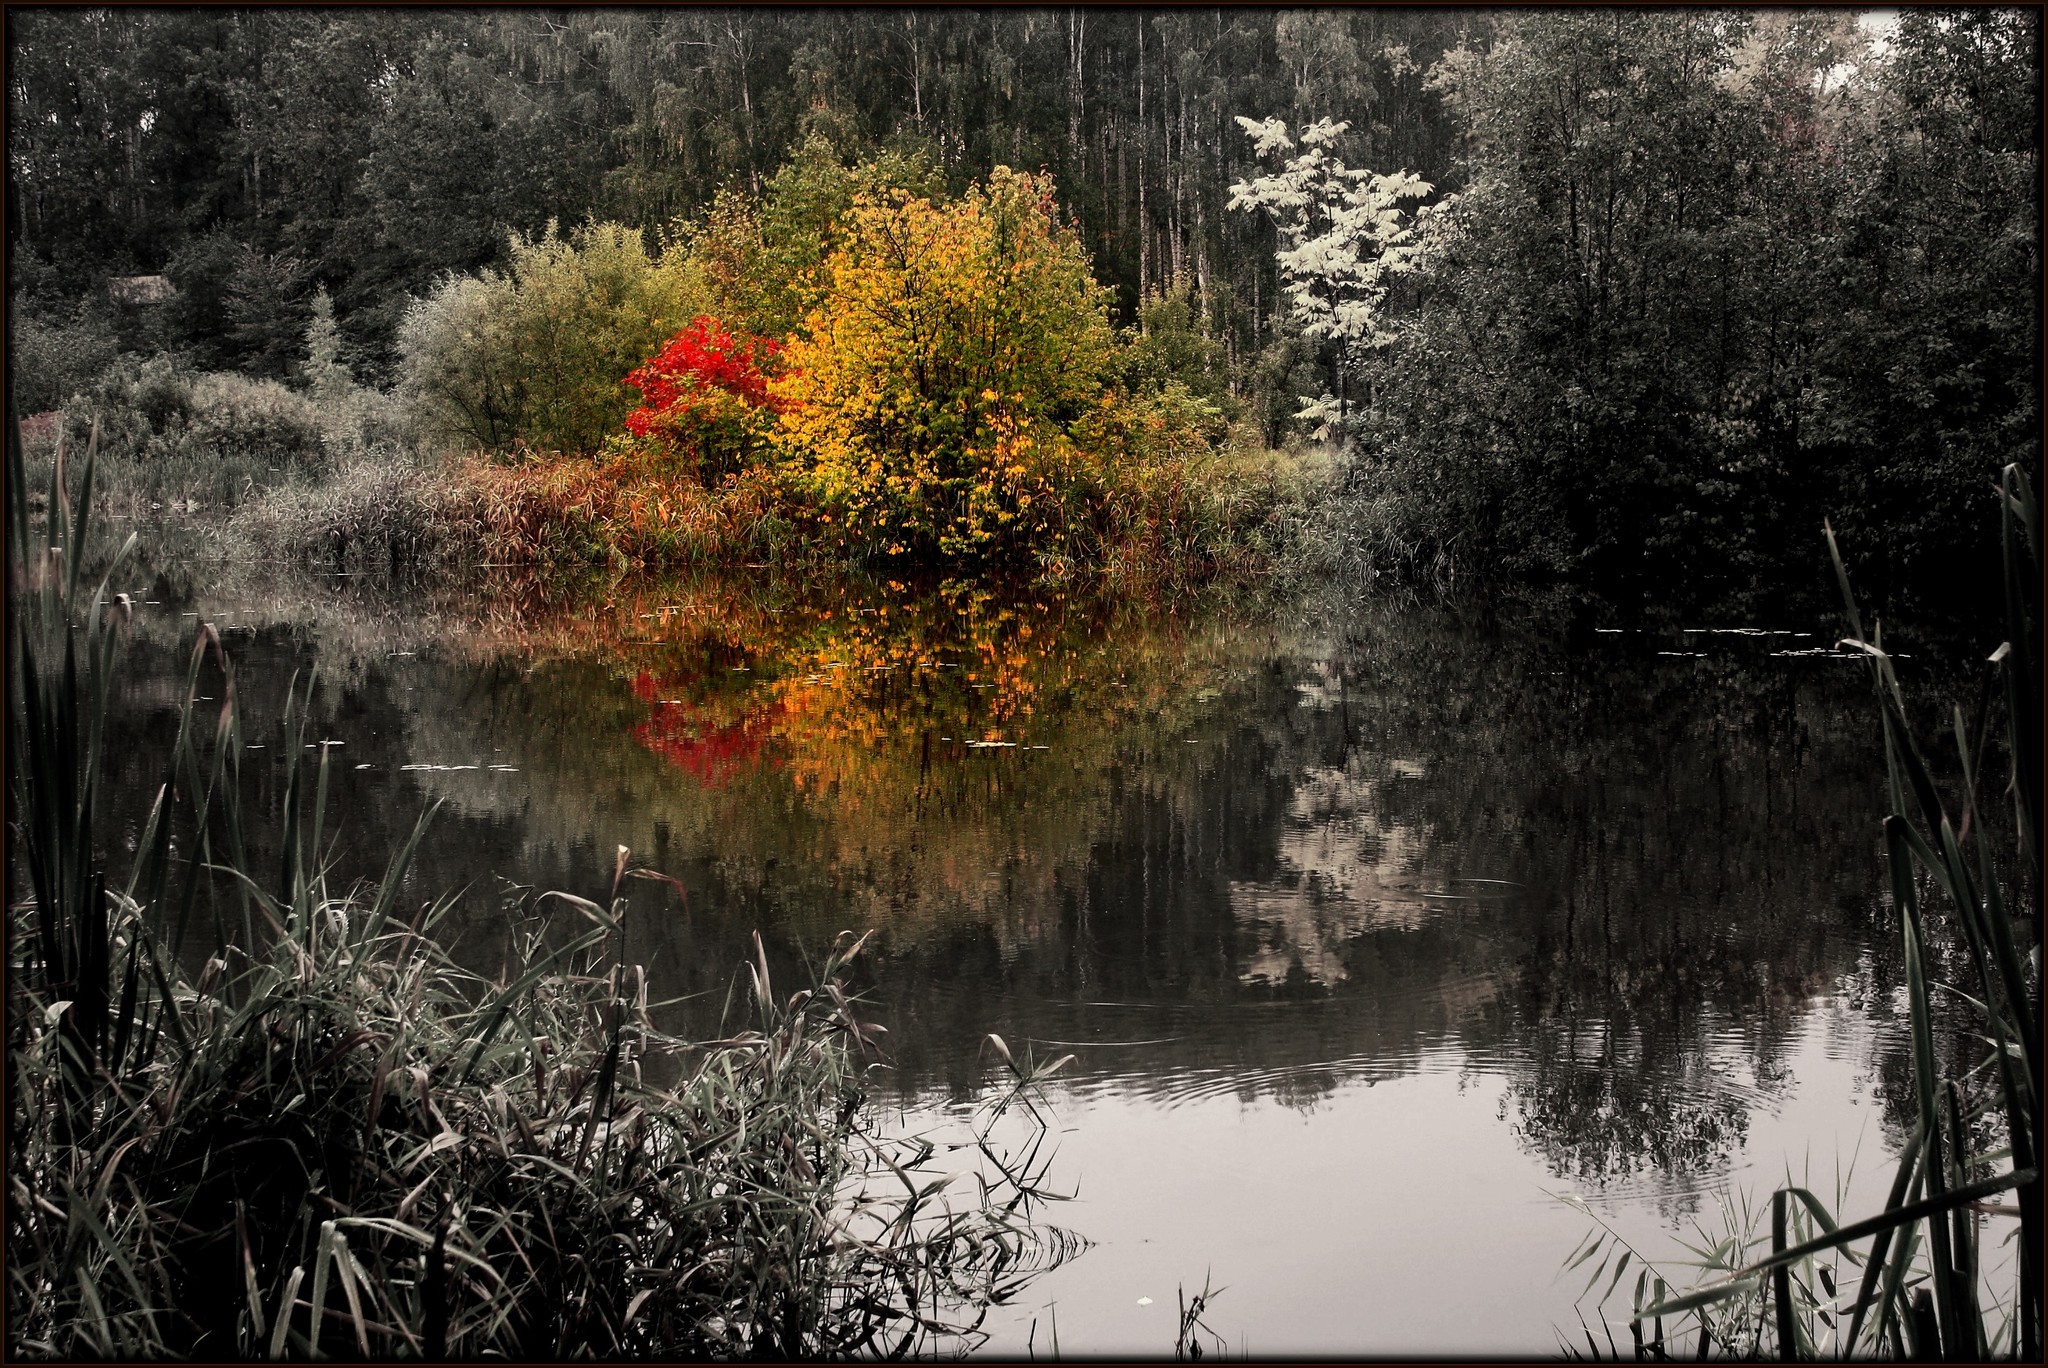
[{"x": 388, "y": 151}]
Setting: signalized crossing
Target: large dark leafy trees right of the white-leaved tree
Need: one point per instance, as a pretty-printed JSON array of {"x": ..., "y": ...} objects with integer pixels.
[{"x": 1703, "y": 288}]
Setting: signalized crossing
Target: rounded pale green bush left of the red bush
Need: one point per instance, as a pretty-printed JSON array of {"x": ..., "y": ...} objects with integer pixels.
[{"x": 534, "y": 357}]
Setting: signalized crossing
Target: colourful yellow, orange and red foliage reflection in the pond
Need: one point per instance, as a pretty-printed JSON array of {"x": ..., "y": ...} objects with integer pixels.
[{"x": 943, "y": 744}]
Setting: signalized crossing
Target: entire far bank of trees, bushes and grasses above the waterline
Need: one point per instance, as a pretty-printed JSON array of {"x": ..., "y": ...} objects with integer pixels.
[{"x": 1760, "y": 269}]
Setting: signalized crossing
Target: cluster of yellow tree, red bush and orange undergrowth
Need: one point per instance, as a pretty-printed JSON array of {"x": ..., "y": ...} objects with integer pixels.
[{"x": 949, "y": 398}]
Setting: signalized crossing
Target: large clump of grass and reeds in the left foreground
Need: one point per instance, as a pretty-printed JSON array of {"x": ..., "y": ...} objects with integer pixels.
[{"x": 314, "y": 1136}]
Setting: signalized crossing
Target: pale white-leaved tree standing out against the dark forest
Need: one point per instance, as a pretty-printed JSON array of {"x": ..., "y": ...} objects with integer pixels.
[{"x": 1345, "y": 234}]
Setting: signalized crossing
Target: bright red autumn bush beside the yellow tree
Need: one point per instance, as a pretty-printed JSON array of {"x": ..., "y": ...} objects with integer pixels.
[{"x": 706, "y": 398}]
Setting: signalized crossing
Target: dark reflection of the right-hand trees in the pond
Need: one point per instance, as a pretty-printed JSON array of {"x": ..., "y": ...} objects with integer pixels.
[{"x": 1693, "y": 841}]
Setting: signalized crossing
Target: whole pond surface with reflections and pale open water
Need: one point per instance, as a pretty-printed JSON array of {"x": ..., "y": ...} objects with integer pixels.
[{"x": 1371, "y": 931}]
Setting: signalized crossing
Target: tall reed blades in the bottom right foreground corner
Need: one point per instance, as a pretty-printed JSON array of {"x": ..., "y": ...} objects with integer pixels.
[{"x": 1916, "y": 1289}]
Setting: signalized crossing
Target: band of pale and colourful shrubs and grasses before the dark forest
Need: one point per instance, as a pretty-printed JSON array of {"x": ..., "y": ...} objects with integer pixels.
[{"x": 955, "y": 400}]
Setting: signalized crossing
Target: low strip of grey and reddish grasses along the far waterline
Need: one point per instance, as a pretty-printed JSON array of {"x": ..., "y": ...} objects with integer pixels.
[{"x": 1234, "y": 521}]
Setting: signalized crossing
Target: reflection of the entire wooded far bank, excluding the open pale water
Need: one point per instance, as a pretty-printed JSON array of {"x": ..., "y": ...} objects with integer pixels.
[{"x": 1211, "y": 855}]
